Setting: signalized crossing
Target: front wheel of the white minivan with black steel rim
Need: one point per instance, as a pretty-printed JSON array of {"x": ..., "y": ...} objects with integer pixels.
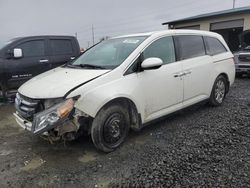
[{"x": 110, "y": 127}]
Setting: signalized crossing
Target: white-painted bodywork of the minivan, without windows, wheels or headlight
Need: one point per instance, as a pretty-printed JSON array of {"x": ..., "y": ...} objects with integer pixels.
[{"x": 154, "y": 92}]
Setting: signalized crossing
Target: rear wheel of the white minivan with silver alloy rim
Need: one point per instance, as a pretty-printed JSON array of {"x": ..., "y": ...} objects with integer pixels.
[{"x": 216, "y": 99}]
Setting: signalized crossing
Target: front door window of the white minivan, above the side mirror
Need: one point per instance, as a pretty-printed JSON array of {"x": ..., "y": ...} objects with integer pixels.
[{"x": 162, "y": 48}]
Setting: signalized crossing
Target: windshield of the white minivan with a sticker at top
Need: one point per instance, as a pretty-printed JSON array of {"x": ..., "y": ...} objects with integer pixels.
[{"x": 108, "y": 54}]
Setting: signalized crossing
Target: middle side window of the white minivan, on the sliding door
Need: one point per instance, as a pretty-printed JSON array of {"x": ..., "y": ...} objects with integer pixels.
[{"x": 189, "y": 46}]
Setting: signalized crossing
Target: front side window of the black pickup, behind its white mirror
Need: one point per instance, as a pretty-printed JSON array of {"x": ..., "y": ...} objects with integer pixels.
[{"x": 32, "y": 48}]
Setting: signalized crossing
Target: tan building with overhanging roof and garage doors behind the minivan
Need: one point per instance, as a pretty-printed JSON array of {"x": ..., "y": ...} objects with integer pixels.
[{"x": 229, "y": 23}]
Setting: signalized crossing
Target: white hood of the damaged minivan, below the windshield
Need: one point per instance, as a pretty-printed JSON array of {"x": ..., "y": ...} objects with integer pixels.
[{"x": 57, "y": 82}]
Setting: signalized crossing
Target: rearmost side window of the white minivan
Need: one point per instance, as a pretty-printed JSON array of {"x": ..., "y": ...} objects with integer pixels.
[{"x": 214, "y": 46}]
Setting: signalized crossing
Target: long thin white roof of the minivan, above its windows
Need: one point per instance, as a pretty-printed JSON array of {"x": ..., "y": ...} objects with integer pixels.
[{"x": 171, "y": 31}]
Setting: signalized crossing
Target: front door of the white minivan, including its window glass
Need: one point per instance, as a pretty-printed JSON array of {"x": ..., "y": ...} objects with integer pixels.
[{"x": 162, "y": 89}]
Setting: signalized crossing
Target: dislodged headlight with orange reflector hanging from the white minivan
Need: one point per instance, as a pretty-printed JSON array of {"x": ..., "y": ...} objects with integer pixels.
[{"x": 53, "y": 116}]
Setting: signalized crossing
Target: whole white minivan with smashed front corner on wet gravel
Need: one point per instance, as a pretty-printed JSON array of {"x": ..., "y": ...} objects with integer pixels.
[{"x": 123, "y": 83}]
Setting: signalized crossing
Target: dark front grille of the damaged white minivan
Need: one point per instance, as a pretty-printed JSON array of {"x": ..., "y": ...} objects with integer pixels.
[{"x": 27, "y": 107}]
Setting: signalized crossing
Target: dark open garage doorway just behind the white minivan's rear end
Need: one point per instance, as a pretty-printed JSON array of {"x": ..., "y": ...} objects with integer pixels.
[{"x": 231, "y": 37}]
